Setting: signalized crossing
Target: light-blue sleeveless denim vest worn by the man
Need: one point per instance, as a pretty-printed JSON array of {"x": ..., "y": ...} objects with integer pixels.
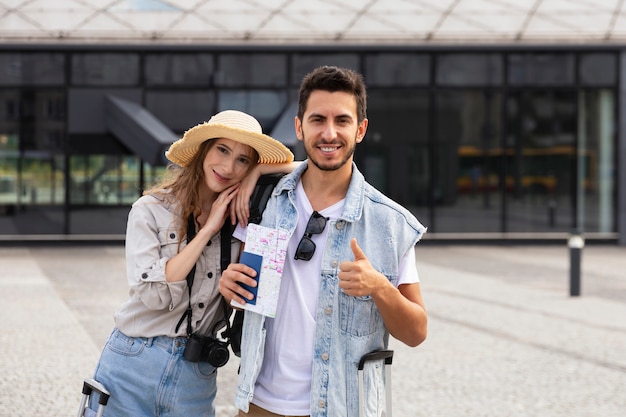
[{"x": 347, "y": 327}]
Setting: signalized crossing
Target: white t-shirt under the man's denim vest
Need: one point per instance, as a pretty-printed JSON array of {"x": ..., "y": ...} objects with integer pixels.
[{"x": 284, "y": 383}]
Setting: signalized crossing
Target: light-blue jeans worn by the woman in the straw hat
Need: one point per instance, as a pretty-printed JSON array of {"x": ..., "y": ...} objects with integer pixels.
[{"x": 149, "y": 377}]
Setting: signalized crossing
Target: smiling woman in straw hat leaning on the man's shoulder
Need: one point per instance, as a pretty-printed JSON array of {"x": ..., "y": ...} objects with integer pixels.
[{"x": 143, "y": 364}]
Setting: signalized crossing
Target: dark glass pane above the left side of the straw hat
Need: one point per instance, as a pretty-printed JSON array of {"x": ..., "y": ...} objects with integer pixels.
[{"x": 180, "y": 110}]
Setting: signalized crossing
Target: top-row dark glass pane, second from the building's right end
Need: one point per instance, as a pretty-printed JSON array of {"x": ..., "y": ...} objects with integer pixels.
[{"x": 541, "y": 69}]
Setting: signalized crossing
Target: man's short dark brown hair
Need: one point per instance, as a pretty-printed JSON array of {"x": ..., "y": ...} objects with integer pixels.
[{"x": 332, "y": 79}]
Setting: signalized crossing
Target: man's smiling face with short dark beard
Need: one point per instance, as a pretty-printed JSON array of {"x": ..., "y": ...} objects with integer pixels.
[{"x": 329, "y": 129}]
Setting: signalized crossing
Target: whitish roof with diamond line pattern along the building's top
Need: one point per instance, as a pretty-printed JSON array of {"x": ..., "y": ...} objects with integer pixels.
[{"x": 310, "y": 21}]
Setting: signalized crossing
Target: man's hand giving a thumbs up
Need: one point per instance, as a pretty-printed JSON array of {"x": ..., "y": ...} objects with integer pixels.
[{"x": 359, "y": 278}]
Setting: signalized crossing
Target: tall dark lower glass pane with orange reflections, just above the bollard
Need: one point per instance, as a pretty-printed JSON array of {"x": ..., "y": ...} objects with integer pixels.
[{"x": 539, "y": 160}]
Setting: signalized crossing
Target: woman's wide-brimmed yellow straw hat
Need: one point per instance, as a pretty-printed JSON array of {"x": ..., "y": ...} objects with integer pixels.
[{"x": 234, "y": 125}]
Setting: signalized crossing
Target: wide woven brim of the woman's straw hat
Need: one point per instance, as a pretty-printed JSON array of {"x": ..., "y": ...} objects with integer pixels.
[{"x": 269, "y": 149}]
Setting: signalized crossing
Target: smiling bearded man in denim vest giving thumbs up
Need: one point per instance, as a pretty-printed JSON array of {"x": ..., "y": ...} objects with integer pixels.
[{"x": 349, "y": 278}]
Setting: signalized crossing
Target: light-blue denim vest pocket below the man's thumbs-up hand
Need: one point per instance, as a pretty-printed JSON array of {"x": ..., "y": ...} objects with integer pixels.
[{"x": 358, "y": 316}]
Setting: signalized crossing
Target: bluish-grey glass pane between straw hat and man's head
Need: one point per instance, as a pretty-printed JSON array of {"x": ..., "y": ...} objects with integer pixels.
[{"x": 266, "y": 106}]
